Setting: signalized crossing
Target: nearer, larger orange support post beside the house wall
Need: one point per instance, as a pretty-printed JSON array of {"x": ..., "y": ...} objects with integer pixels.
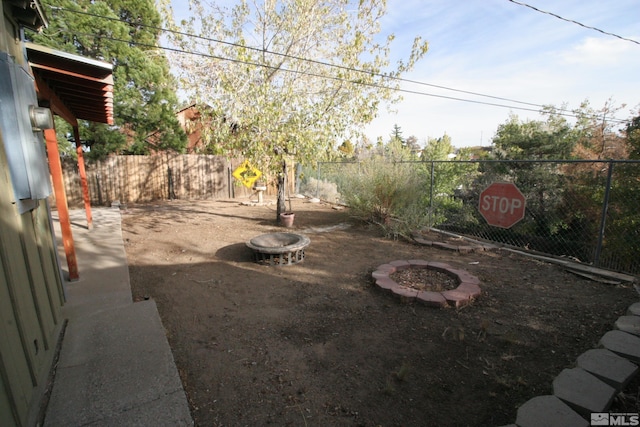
[{"x": 61, "y": 202}]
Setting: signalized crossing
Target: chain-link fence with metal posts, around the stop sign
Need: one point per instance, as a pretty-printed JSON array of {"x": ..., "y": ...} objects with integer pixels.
[{"x": 586, "y": 210}]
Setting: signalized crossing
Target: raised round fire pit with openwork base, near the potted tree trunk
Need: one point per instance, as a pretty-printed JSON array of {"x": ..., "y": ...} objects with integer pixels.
[{"x": 279, "y": 248}]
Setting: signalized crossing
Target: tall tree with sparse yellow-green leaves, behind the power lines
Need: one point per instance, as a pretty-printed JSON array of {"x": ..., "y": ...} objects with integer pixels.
[{"x": 288, "y": 79}]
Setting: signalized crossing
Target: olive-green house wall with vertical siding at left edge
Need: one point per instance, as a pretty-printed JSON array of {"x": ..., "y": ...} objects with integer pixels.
[{"x": 31, "y": 292}]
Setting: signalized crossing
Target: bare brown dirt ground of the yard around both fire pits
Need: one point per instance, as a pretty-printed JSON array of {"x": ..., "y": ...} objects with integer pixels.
[{"x": 318, "y": 344}]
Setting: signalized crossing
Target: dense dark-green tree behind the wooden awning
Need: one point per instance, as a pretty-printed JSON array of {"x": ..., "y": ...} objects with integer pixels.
[{"x": 124, "y": 33}]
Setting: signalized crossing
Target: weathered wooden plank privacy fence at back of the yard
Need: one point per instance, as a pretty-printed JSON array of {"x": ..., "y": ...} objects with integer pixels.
[{"x": 136, "y": 179}]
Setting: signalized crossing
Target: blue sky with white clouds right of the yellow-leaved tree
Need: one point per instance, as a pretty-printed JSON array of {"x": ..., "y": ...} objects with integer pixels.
[{"x": 502, "y": 49}]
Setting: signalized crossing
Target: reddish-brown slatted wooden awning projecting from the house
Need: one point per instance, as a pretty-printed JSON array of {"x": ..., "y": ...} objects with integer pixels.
[{"x": 76, "y": 87}]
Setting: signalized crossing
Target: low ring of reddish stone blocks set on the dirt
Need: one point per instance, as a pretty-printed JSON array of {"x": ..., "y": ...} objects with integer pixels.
[{"x": 468, "y": 285}]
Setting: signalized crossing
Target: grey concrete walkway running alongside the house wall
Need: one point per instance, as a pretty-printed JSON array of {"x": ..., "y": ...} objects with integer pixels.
[{"x": 115, "y": 365}]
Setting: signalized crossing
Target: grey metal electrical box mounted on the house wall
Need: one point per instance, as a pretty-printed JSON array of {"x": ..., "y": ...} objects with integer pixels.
[{"x": 21, "y": 124}]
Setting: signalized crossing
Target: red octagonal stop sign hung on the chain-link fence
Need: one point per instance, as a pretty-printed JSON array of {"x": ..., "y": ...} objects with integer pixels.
[{"x": 502, "y": 204}]
